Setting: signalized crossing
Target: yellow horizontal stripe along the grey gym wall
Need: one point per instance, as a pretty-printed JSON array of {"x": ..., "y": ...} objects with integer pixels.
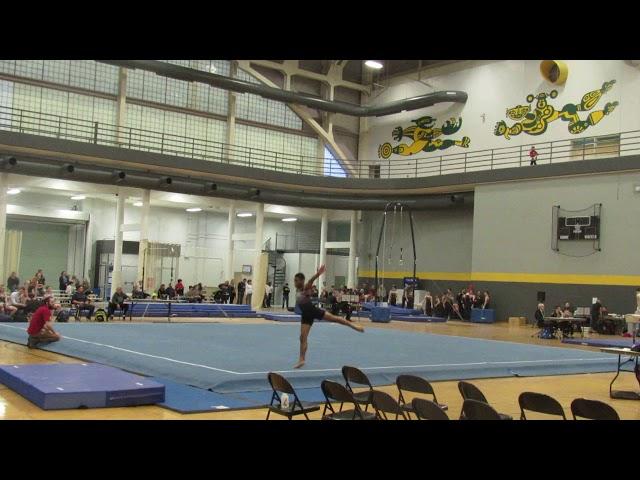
[{"x": 622, "y": 280}]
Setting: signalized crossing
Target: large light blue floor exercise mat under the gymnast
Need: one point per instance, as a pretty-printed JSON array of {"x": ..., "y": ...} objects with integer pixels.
[{"x": 232, "y": 358}]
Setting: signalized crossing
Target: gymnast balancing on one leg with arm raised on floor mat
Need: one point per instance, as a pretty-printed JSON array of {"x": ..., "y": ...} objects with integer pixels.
[{"x": 309, "y": 312}]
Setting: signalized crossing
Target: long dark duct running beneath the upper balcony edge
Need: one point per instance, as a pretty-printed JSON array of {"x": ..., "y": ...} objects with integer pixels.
[{"x": 146, "y": 180}]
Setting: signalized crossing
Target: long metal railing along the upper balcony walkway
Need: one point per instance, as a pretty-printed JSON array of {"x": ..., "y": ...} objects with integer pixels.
[{"x": 39, "y": 123}]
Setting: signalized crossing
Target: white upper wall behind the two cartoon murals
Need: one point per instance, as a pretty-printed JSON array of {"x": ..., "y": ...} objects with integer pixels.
[{"x": 492, "y": 88}]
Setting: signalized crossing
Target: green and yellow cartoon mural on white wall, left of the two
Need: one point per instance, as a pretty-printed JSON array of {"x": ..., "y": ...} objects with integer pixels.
[{"x": 424, "y": 137}]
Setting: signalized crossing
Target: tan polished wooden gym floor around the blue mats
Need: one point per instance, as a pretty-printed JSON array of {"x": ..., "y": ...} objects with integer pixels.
[{"x": 502, "y": 393}]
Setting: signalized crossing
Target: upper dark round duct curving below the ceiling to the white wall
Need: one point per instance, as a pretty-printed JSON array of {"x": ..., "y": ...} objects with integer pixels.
[{"x": 240, "y": 86}]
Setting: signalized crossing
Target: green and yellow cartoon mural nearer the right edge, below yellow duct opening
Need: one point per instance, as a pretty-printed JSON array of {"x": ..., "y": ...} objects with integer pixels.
[{"x": 535, "y": 122}]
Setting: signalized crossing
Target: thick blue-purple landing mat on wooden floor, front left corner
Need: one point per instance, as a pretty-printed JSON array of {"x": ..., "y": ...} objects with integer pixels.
[{"x": 60, "y": 386}]
